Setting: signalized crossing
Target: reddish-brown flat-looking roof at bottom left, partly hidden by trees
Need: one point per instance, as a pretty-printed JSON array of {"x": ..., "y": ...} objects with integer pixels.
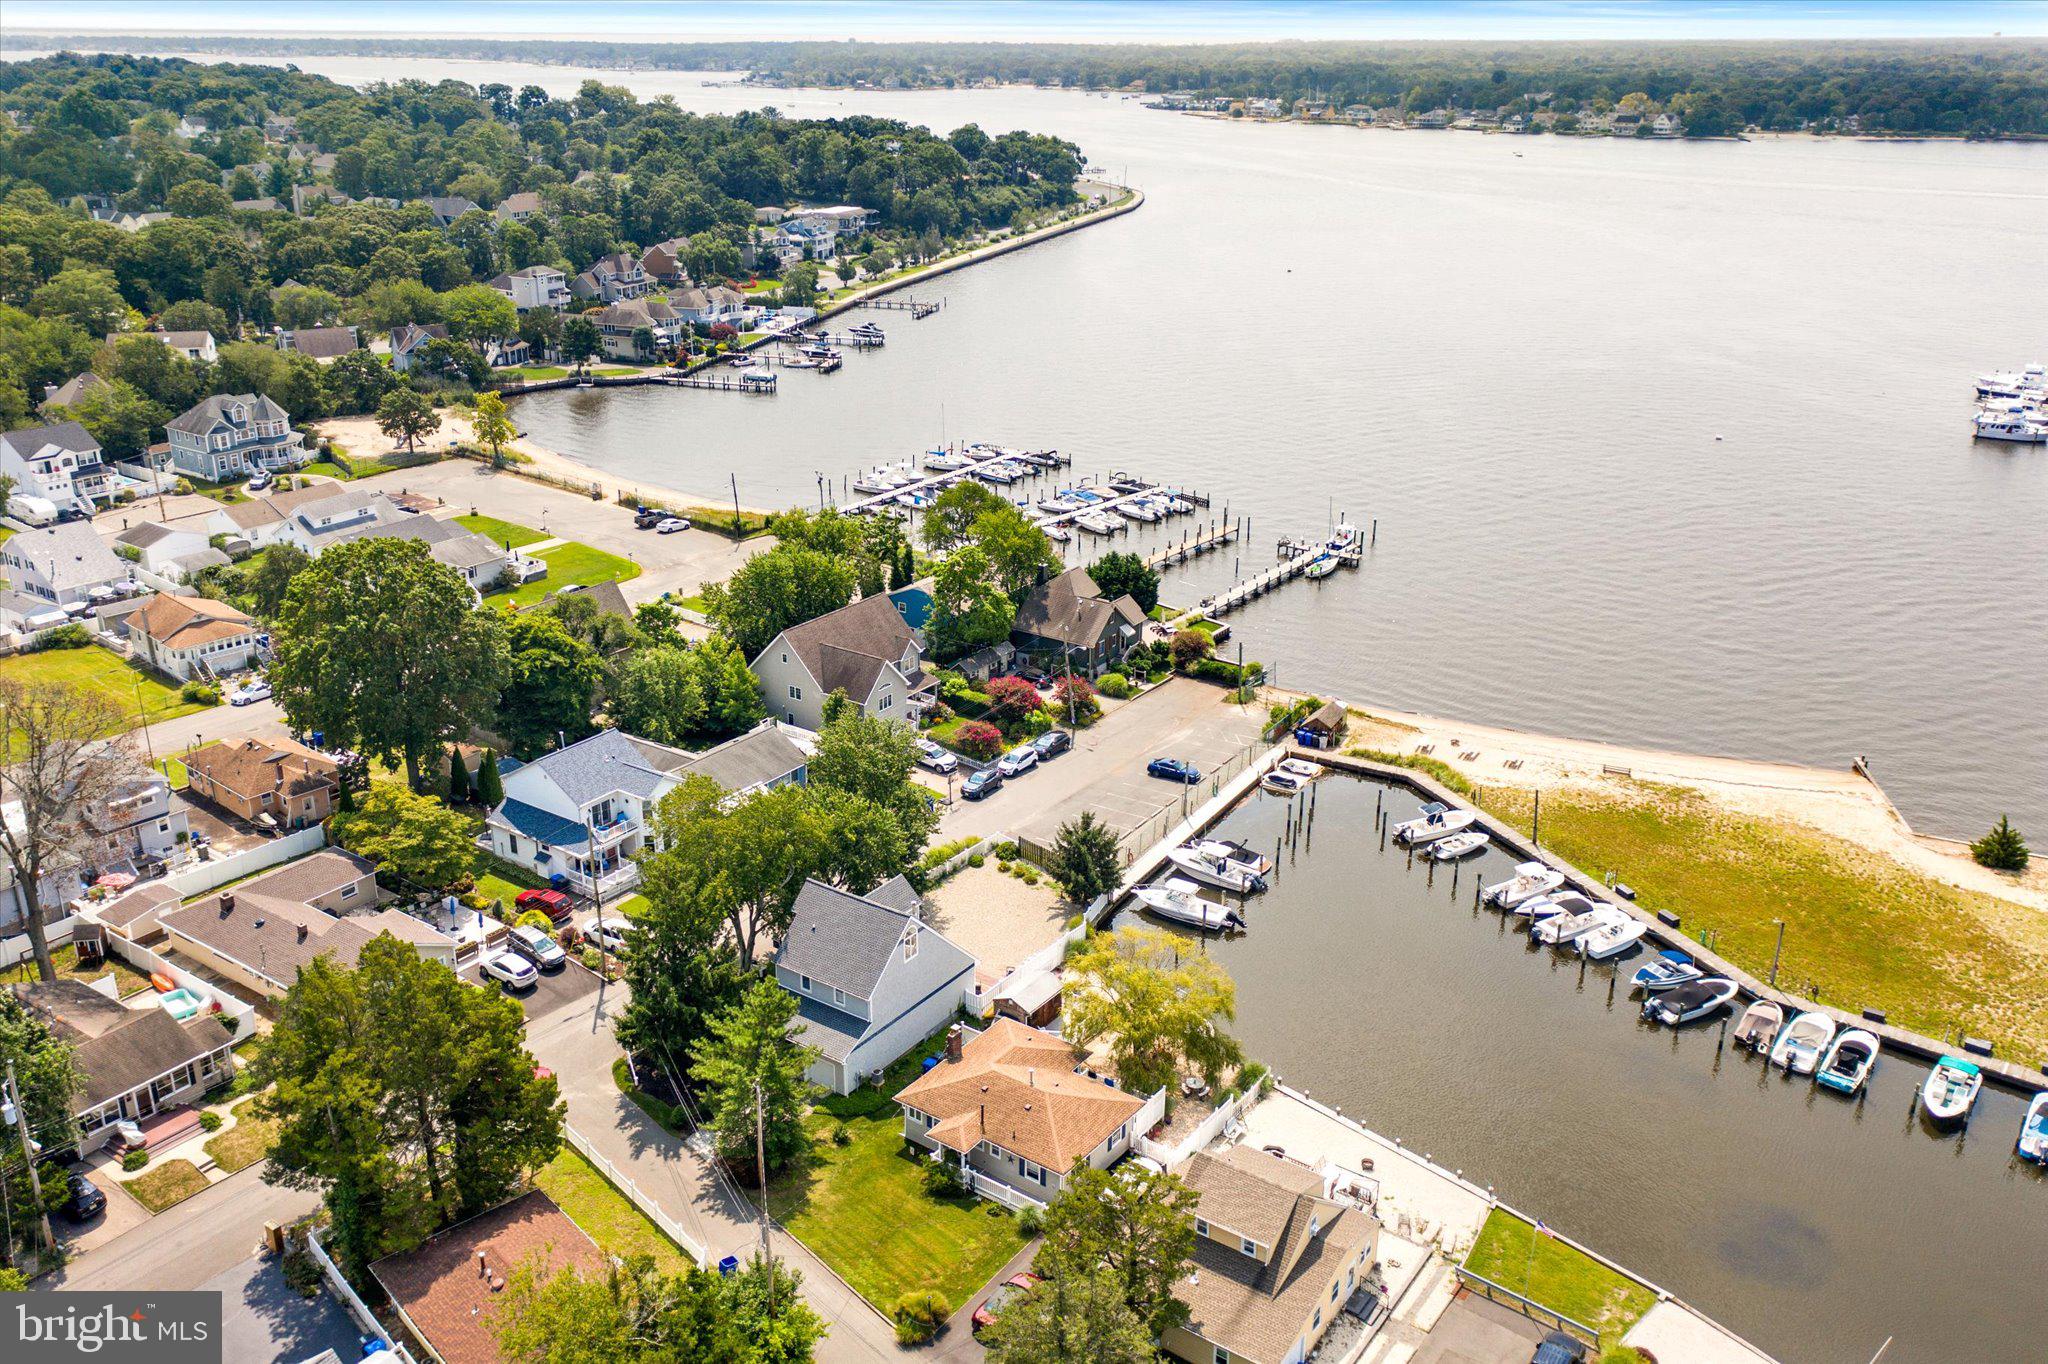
[{"x": 441, "y": 1285}]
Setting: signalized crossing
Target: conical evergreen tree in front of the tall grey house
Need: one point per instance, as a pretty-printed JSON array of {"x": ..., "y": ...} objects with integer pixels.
[{"x": 753, "y": 1076}]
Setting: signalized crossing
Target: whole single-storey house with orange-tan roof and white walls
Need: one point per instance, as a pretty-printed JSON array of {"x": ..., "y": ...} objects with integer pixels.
[{"x": 1015, "y": 1113}]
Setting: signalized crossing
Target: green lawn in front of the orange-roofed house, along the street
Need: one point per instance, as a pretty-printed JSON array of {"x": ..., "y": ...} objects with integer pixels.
[{"x": 865, "y": 1211}]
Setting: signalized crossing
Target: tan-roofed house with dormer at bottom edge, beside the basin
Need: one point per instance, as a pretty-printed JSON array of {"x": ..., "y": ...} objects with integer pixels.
[{"x": 1275, "y": 1261}]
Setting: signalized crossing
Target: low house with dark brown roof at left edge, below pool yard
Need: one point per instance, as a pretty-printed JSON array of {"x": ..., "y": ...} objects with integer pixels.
[{"x": 132, "y": 1064}]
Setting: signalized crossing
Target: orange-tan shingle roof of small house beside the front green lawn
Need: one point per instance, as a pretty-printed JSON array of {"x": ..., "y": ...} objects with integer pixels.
[{"x": 1017, "y": 1089}]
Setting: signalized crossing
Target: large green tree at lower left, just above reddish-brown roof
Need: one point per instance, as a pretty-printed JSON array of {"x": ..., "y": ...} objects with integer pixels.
[{"x": 402, "y": 1095}]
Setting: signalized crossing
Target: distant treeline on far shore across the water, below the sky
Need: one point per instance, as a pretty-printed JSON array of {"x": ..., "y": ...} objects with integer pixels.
[{"x": 1979, "y": 87}]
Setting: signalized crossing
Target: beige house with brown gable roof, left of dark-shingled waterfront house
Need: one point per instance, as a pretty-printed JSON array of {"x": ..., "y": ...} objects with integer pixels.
[{"x": 863, "y": 650}]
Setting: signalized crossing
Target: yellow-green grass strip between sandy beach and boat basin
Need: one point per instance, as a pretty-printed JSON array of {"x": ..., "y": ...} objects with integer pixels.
[{"x": 1863, "y": 931}]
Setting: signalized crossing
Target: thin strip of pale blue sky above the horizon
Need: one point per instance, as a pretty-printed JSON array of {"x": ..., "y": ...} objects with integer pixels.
[{"x": 1103, "y": 22}]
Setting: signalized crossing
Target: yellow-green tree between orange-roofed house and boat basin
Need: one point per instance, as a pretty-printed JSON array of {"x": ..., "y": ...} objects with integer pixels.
[{"x": 1158, "y": 1007}]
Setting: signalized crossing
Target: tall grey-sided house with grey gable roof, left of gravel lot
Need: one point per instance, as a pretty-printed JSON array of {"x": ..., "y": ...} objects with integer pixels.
[{"x": 871, "y": 978}]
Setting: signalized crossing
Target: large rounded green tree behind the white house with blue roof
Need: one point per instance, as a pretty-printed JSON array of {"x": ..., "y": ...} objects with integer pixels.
[{"x": 386, "y": 654}]
